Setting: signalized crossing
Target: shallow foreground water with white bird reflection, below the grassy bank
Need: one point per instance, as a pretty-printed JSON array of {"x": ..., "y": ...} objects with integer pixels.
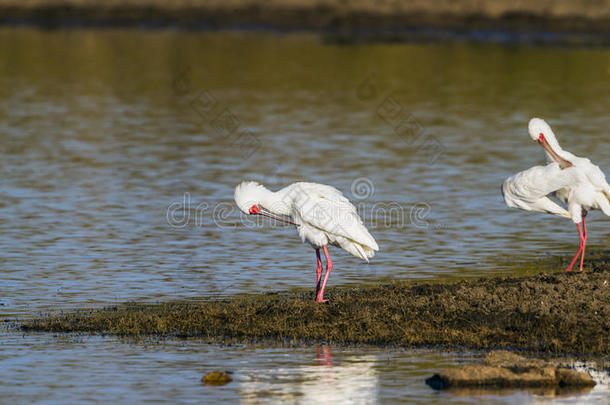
[{"x": 41, "y": 368}]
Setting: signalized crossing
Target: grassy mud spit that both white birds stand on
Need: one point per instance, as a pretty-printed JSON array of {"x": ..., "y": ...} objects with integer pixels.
[{"x": 552, "y": 313}]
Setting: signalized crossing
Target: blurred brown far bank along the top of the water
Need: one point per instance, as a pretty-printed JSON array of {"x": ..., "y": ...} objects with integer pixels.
[{"x": 561, "y": 21}]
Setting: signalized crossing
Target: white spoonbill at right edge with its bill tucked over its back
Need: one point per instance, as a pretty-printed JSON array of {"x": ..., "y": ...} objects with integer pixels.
[{"x": 573, "y": 180}]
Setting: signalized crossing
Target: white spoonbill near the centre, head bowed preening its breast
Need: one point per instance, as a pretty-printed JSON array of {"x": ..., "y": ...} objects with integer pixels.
[{"x": 322, "y": 215}]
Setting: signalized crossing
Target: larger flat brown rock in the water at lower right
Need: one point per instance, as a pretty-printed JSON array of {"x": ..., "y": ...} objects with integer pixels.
[{"x": 502, "y": 369}]
